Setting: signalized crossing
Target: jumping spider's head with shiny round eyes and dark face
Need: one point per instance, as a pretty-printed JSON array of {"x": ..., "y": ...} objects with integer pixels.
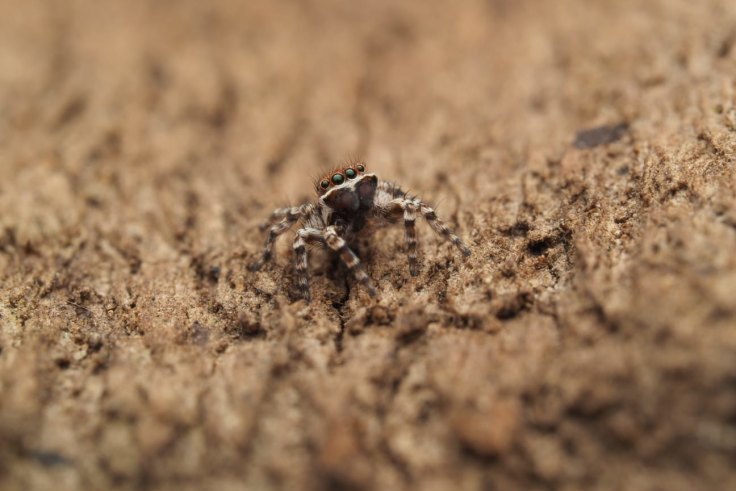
[{"x": 348, "y": 190}]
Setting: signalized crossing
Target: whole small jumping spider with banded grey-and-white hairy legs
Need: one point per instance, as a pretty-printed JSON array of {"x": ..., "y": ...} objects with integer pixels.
[{"x": 351, "y": 203}]
